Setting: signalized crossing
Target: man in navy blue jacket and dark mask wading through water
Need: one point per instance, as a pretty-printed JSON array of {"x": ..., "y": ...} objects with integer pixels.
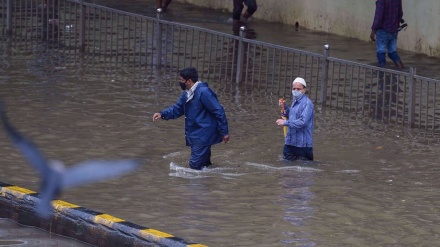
[{"x": 205, "y": 118}]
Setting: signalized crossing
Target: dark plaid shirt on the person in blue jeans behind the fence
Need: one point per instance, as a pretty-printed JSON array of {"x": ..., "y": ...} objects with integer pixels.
[{"x": 388, "y": 15}]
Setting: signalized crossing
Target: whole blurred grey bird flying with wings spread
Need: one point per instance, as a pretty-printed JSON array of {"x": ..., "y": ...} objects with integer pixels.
[{"x": 55, "y": 177}]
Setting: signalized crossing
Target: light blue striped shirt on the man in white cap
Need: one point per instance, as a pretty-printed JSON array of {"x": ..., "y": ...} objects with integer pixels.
[{"x": 300, "y": 123}]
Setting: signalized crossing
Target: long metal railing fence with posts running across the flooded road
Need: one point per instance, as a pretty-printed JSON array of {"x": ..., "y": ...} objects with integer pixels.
[{"x": 112, "y": 38}]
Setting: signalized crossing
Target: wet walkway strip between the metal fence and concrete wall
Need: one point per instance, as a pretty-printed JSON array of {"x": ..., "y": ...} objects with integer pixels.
[{"x": 281, "y": 34}]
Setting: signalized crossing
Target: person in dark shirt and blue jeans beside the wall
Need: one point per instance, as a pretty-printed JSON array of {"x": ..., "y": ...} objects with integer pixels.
[{"x": 387, "y": 19}]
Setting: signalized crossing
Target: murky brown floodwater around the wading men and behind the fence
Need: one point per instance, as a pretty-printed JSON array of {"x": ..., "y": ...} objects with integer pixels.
[{"x": 370, "y": 185}]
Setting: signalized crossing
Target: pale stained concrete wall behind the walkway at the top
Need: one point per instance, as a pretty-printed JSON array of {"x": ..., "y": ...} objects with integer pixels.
[{"x": 351, "y": 18}]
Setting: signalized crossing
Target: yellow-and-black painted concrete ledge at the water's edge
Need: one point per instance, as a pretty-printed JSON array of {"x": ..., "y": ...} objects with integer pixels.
[{"x": 81, "y": 223}]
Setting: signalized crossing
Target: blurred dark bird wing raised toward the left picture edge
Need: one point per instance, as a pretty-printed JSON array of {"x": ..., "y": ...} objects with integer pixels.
[{"x": 29, "y": 150}]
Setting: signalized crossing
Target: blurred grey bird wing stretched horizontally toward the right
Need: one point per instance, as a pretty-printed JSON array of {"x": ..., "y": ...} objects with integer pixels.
[{"x": 95, "y": 170}]
